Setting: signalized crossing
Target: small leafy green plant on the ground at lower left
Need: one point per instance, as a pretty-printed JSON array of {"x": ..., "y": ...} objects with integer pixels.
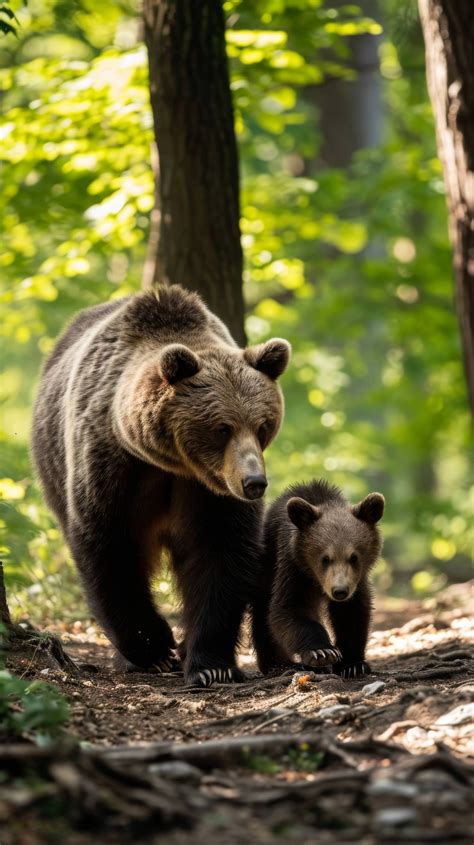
[{"x": 30, "y": 707}]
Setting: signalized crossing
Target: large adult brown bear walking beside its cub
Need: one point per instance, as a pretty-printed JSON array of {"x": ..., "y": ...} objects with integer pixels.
[{"x": 149, "y": 427}]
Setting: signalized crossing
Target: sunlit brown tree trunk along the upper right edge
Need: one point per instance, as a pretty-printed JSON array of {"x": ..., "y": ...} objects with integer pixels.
[{"x": 448, "y": 29}]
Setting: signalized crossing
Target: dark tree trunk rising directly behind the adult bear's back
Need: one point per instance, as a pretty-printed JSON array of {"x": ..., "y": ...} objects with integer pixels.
[{"x": 198, "y": 186}]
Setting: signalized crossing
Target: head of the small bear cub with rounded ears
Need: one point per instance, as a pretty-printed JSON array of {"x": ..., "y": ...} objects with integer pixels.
[{"x": 336, "y": 542}]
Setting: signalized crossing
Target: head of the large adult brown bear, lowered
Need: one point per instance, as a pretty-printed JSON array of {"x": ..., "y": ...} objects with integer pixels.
[{"x": 222, "y": 409}]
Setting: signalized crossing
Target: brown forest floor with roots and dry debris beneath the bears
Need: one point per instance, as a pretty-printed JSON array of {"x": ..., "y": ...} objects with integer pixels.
[{"x": 297, "y": 758}]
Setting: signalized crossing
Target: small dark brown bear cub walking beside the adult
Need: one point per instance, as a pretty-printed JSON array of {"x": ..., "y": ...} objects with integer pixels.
[{"x": 318, "y": 552}]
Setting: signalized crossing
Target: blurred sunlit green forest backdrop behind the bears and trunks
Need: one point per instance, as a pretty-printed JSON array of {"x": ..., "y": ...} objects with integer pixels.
[{"x": 345, "y": 240}]
